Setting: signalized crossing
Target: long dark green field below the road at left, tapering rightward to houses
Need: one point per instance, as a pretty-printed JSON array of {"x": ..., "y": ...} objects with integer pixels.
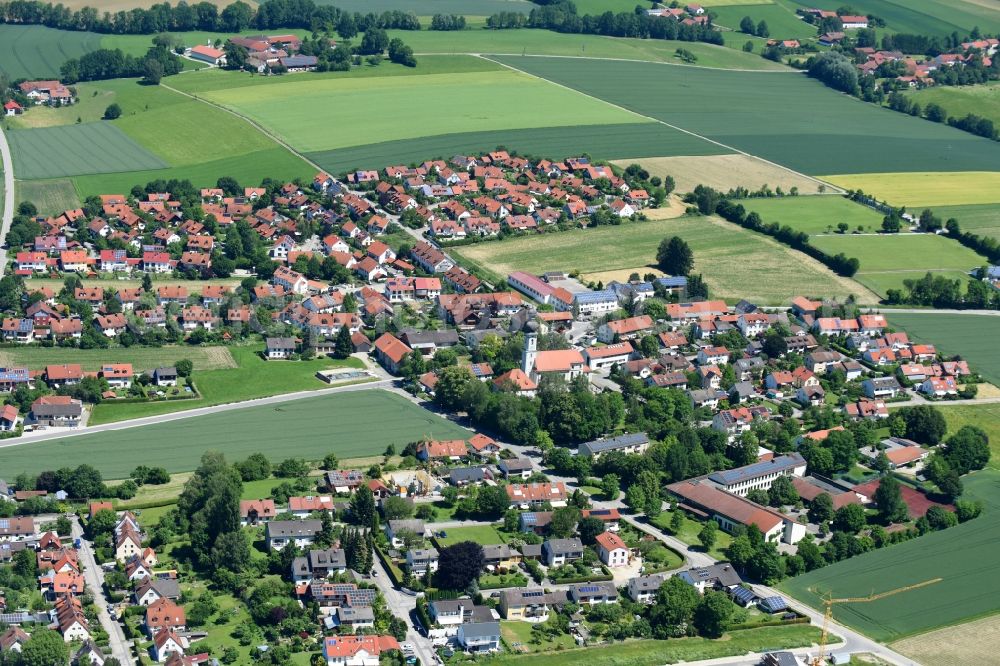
[{"x": 308, "y": 428}]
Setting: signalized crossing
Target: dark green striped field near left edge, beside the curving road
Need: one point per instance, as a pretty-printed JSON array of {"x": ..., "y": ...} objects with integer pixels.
[{"x": 52, "y": 152}]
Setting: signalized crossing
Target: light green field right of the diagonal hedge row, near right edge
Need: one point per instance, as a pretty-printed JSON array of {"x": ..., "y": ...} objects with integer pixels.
[{"x": 887, "y": 260}]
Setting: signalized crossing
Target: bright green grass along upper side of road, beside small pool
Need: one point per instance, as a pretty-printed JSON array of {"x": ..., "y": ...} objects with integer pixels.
[{"x": 253, "y": 377}]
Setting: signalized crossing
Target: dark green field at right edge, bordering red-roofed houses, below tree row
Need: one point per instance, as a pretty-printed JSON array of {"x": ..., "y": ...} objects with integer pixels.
[{"x": 974, "y": 337}]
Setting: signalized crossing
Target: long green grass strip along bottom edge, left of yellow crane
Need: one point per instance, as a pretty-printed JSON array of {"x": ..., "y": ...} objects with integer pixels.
[{"x": 654, "y": 653}]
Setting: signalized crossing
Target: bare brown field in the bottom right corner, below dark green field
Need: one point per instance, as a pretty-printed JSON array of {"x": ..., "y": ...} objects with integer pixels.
[{"x": 961, "y": 644}]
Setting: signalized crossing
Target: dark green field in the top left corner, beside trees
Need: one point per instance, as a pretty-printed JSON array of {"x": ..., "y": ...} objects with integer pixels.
[{"x": 37, "y": 52}]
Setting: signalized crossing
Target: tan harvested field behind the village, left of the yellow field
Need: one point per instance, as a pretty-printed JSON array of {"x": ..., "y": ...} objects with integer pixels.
[{"x": 724, "y": 172}]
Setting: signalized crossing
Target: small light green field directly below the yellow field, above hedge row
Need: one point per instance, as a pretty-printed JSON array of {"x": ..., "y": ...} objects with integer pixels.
[{"x": 815, "y": 214}]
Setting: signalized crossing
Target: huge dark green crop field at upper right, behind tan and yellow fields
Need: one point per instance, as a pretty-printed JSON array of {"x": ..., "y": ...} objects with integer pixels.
[{"x": 797, "y": 122}]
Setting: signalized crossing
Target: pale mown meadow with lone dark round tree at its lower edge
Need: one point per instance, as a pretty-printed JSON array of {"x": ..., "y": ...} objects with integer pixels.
[{"x": 736, "y": 263}]
